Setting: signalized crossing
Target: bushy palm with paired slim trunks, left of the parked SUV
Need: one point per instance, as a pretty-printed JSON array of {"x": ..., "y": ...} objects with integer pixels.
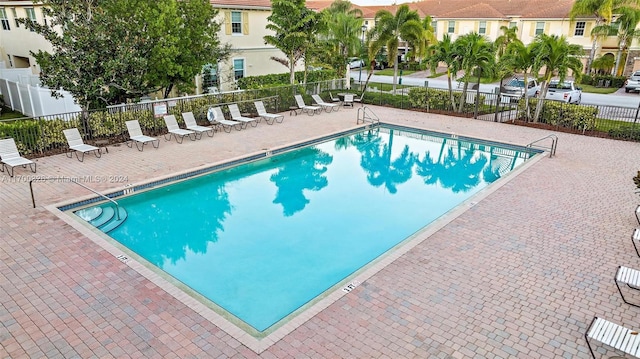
[{"x": 477, "y": 54}]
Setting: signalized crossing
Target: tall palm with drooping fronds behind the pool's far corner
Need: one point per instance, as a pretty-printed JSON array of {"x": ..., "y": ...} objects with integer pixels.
[{"x": 390, "y": 29}]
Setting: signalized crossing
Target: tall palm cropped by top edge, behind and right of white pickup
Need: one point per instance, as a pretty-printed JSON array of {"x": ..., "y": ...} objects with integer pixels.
[{"x": 603, "y": 11}]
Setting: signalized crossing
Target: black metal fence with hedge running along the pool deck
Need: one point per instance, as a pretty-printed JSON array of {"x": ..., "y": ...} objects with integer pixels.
[{"x": 43, "y": 135}]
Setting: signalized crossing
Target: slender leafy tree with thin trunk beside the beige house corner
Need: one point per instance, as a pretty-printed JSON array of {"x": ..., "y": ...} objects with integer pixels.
[{"x": 292, "y": 23}]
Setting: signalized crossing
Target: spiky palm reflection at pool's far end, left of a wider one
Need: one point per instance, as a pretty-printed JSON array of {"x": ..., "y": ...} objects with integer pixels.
[{"x": 381, "y": 170}]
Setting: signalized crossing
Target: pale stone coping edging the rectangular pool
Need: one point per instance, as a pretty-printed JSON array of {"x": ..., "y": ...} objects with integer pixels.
[{"x": 318, "y": 304}]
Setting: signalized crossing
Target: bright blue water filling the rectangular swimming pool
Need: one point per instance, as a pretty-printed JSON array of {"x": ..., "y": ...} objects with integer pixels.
[{"x": 262, "y": 239}]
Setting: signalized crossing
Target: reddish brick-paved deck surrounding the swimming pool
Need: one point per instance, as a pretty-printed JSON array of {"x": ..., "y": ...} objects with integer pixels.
[{"x": 519, "y": 274}]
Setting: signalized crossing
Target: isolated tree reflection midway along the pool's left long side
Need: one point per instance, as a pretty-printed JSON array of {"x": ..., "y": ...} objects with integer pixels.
[{"x": 306, "y": 172}]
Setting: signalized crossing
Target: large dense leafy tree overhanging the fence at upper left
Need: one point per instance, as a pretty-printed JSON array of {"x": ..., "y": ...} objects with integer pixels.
[{"x": 108, "y": 51}]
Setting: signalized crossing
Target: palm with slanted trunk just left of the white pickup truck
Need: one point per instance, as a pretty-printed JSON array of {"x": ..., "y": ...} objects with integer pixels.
[{"x": 557, "y": 56}]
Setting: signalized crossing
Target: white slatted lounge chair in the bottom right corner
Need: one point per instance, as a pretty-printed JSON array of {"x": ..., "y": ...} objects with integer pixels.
[{"x": 613, "y": 335}]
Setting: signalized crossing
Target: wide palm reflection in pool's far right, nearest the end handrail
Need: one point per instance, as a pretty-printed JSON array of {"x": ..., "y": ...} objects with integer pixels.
[{"x": 459, "y": 172}]
